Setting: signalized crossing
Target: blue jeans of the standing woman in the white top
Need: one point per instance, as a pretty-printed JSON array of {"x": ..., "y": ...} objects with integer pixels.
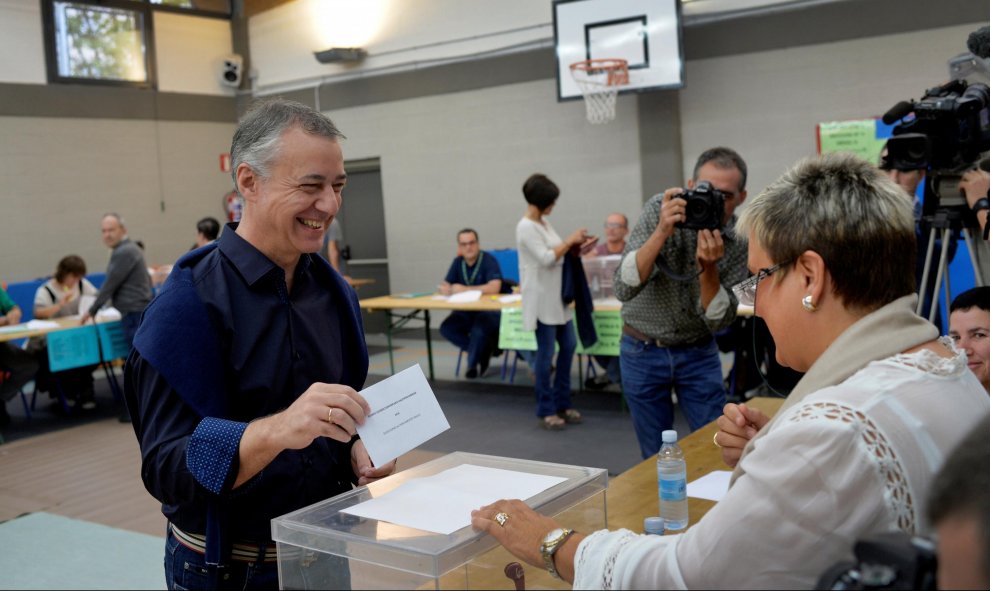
[{"x": 553, "y": 399}]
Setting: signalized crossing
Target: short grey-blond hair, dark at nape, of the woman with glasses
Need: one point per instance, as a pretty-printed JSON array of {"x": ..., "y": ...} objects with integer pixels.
[{"x": 851, "y": 214}]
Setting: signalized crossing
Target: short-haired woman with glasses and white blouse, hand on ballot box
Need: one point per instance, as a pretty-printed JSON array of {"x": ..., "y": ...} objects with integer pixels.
[{"x": 854, "y": 449}]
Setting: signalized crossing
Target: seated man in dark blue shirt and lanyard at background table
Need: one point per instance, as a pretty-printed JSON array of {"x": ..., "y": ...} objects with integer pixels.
[{"x": 475, "y": 332}]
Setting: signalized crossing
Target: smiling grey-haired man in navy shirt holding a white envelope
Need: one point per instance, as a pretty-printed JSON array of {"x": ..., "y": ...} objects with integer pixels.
[{"x": 243, "y": 377}]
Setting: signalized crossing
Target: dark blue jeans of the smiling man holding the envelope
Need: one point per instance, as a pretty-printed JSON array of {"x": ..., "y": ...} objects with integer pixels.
[{"x": 186, "y": 569}]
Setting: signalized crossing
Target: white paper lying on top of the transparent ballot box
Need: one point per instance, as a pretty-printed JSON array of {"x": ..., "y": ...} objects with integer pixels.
[{"x": 442, "y": 503}]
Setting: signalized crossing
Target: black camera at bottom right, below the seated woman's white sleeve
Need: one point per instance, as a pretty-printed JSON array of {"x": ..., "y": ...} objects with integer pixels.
[{"x": 885, "y": 561}]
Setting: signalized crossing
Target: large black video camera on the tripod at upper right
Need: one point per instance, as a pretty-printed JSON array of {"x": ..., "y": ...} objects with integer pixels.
[{"x": 947, "y": 132}]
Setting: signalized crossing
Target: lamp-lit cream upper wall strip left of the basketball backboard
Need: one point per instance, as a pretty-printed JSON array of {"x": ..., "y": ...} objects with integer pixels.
[{"x": 283, "y": 39}]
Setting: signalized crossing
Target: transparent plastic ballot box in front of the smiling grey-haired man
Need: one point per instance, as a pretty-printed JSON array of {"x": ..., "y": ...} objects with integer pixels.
[{"x": 320, "y": 547}]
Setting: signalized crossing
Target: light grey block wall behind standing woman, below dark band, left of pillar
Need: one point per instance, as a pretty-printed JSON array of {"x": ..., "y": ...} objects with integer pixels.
[{"x": 460, "y": 160}]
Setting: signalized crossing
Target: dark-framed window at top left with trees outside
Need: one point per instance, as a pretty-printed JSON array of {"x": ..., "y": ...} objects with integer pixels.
[{"x": 110, "y": 42}]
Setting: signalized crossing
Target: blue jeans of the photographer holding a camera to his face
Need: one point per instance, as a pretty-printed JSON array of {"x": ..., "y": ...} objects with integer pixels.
[{"x": 648, "y": 374}]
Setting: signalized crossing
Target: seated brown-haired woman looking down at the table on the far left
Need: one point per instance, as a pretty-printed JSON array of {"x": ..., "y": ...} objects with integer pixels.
[{"x": 57, "y": 298}]
